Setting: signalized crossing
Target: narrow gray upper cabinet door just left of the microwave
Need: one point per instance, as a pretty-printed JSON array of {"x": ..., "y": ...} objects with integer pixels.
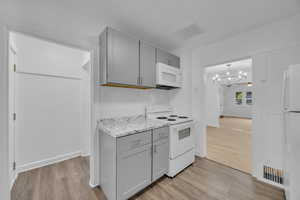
[{"x": 147, "y": 65}]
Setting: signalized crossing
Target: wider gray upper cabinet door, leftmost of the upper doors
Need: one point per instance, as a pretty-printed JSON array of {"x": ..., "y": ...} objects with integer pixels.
[{"x": 123, "y": 58}]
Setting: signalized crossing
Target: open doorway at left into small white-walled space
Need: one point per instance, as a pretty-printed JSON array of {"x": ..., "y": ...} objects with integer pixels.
[{"x": 50, "y": 114}]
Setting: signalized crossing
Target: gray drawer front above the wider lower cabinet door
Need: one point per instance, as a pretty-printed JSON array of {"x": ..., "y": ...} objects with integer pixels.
[{"x": 134, "y": 141}]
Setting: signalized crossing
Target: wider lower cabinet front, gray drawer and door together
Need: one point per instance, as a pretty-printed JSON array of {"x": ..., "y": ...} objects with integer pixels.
[{"x": 133, "y": 164}]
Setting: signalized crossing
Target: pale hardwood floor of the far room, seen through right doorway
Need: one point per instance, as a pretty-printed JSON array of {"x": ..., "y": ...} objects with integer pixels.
[{"x": 230, "y": 144}]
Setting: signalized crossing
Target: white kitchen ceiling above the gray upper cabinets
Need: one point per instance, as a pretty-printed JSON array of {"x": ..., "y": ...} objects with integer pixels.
[{"x": 169, "y": 24}]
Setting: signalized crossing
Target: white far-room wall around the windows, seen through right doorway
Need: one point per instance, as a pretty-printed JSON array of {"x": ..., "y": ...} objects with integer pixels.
[{"x": 232, "y": 109}]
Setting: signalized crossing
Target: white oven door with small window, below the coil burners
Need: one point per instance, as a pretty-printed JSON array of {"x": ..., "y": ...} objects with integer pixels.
[{"x": 182, "y": 139}]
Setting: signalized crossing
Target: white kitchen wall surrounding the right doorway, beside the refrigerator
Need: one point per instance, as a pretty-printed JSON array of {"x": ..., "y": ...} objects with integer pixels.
[{"x": 260, "y": 44}]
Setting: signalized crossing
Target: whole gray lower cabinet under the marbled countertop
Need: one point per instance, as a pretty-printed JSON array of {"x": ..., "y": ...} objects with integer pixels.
[{"x": 131, "y": 163}]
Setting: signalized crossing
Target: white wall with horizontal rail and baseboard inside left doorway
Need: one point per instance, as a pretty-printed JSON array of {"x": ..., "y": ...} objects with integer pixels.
[{"x": 49, "y": 104}]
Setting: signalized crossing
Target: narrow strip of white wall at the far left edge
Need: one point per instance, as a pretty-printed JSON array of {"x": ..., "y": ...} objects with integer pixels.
[{"x": 4, "y": 172}]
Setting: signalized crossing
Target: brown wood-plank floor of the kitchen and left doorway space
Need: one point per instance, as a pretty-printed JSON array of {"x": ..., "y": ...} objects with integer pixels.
[{"x": 204, "y": 180}]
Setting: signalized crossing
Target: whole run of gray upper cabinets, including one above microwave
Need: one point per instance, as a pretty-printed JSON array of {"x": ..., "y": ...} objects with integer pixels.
[{"x": 129, "y": 62}]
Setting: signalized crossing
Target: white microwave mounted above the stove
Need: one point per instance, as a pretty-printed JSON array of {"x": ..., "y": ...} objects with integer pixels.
[{"x": 168, "y": 76}]
